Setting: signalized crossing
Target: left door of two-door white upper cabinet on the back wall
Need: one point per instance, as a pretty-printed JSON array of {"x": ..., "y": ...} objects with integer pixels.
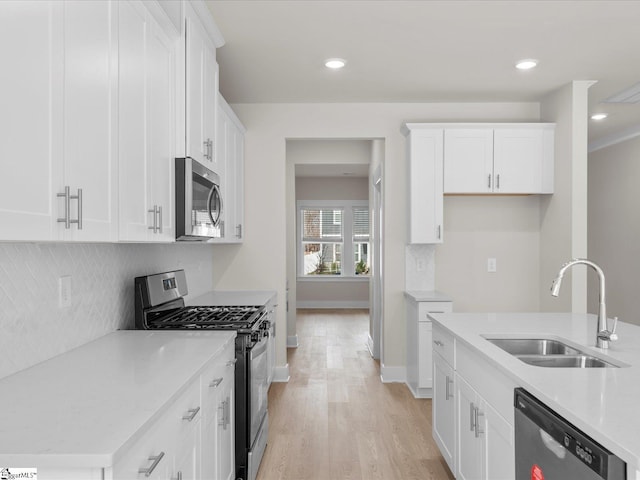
[{"x": 468, "y": 160}]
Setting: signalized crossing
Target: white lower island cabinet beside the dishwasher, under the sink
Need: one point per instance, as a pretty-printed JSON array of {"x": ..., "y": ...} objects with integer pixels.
[{"x": 472, "y": 412}]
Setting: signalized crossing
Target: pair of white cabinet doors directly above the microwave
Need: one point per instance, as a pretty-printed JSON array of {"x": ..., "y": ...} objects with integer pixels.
[{"x": 202, "y": 94}]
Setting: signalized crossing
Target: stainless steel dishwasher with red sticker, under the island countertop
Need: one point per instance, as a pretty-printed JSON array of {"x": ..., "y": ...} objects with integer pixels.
[{"x": 549, "y": 448}]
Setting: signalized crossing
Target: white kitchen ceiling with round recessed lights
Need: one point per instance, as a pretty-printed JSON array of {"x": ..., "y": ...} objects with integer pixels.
[{"x": 430, "y": 51}]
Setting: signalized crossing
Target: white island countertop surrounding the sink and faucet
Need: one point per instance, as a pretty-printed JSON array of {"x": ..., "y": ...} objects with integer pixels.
[{"x": 602, "y": 402}]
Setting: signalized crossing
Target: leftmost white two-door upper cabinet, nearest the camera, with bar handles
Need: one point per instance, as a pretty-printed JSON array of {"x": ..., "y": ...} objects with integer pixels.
[{"x": 59, "y": 177}]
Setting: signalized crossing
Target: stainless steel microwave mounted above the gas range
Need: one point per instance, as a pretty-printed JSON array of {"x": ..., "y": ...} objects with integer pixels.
[{"x": 198, "y": 201}]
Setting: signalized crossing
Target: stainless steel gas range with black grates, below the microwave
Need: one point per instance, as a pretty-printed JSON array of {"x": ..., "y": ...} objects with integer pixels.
[{"x": 159, "y": 304}]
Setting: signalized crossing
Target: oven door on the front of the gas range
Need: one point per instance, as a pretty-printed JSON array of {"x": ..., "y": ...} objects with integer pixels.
[{"x": 259, "y": 372}]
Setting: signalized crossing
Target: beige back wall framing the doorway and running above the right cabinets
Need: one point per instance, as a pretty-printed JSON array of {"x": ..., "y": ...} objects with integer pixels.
[{"x": 262, "y": 260}]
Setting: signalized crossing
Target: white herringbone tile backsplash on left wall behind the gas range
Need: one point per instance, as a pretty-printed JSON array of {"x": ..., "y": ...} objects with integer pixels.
[{"x": 32, "y": 326}]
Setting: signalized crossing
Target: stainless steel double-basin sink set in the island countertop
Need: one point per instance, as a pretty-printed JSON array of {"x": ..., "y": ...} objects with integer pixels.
[{"x": 547, "y": 352}]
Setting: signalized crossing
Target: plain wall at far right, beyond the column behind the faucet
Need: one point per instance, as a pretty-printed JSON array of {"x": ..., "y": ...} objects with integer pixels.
[{"x": 614, "y": 227}]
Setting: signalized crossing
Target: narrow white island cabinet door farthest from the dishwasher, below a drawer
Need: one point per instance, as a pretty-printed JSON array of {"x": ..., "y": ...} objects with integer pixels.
[{"x": 443, "y": 421}]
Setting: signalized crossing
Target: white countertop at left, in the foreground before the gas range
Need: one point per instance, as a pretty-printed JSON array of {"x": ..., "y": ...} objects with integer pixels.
[{"x": 87, "y": 406}]
